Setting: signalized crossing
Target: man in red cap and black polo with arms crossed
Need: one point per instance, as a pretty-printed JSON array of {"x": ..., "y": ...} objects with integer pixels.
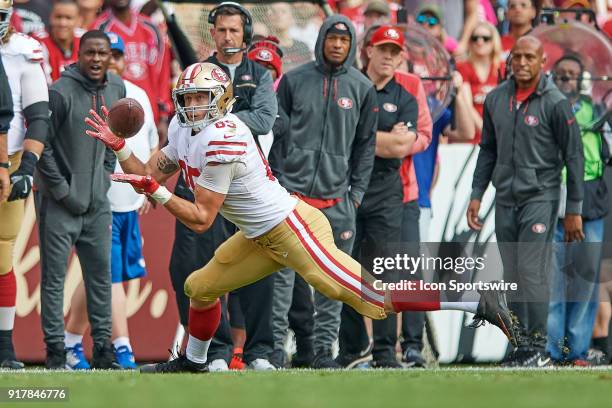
[{"x": 378, "y": 215}]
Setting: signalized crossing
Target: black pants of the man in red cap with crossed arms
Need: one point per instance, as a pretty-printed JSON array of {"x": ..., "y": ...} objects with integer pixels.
[{"x": 378, "y": 234}]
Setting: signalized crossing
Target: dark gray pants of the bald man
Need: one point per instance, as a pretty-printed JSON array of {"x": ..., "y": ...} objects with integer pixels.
[{"x": 525, "y": 235}]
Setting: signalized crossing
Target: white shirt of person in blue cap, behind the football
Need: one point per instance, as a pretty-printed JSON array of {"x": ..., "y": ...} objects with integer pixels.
[{"x": 122, "y": 196}]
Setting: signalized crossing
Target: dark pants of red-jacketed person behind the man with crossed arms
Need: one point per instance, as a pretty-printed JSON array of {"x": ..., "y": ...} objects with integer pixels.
[{"x": 412, "y": 322}]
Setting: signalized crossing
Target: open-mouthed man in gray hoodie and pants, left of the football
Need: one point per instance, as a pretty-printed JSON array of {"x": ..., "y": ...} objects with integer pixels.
[{"x": 71, "y": 203}]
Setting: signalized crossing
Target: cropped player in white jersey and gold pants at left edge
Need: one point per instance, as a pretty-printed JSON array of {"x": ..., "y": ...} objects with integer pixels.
[{"x": 21, "y": 57}]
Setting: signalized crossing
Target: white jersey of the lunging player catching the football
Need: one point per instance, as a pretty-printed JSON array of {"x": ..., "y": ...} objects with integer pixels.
[{"x": 255, "y": 201}]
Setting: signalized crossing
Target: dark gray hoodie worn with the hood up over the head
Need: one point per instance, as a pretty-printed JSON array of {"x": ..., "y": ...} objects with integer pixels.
[{"x": 330, "y": 141}]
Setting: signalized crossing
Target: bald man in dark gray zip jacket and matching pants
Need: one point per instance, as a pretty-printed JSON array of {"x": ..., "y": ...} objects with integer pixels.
[{"x": 529, "y": 135}]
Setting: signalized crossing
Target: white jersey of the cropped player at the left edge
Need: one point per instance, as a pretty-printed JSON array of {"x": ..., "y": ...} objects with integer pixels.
[{"x": 22, "y": 57}]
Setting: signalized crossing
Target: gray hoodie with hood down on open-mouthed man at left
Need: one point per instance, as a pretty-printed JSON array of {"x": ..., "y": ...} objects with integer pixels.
[{"x": 75, "y": 167}]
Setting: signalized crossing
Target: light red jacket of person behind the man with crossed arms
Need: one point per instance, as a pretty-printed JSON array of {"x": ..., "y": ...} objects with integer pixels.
[{"x": 412, "y": 84}]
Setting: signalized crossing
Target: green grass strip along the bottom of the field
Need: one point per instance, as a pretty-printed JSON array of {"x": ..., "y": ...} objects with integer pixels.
[{"x": 473, "y": 388}]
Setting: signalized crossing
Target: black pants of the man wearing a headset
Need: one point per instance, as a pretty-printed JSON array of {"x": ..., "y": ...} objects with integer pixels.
[{"x": 192, "y": 251}]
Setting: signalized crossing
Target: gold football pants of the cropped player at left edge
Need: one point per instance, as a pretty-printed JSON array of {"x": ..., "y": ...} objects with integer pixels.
[{"x": 11, "y": 216}]
